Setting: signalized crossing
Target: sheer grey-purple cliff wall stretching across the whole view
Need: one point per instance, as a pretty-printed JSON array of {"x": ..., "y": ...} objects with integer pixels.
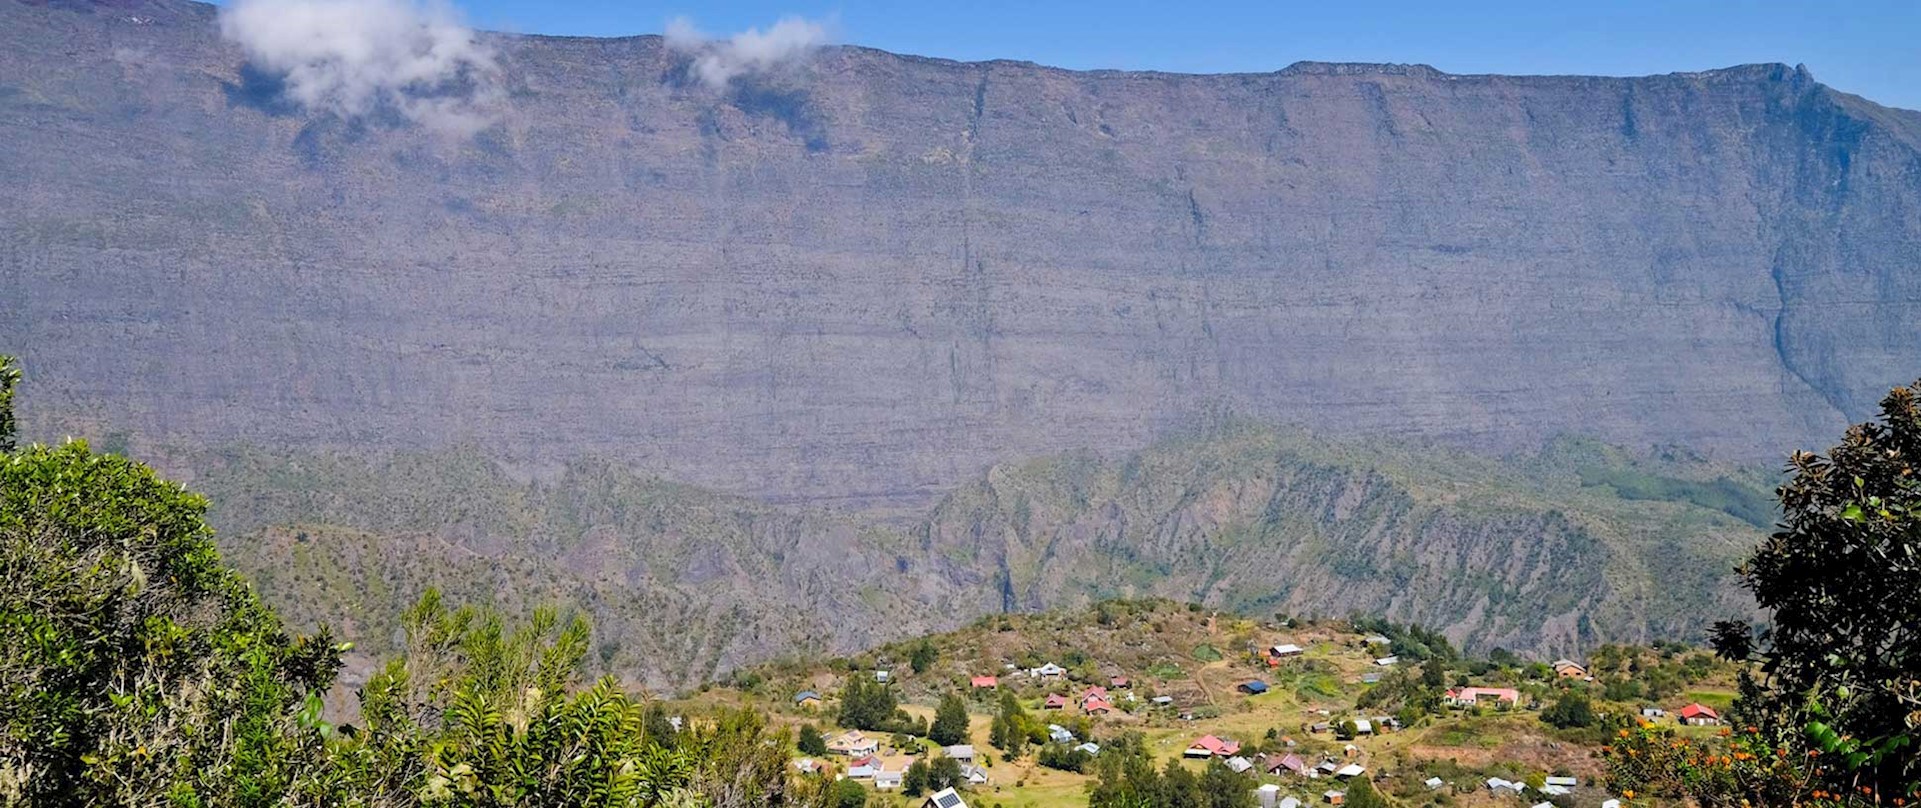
[{"x": 879, "y": 275}]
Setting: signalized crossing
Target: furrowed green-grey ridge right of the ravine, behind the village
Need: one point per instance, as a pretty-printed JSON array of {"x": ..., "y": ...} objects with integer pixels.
[{"x": 1540, "y": 554}]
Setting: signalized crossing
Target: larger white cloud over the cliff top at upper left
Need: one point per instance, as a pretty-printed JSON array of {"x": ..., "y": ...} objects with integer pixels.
[{"x": 356, "y": 57}]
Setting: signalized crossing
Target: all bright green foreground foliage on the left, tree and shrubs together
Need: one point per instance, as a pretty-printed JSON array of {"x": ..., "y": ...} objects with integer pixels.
[{"x": 139, "y": 671}]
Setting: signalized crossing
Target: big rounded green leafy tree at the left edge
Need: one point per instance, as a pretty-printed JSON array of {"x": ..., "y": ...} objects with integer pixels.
[{"x": 135, "y": 669}]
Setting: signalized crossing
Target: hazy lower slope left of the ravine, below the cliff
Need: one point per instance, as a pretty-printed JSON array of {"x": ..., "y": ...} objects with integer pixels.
[{"x": 679, "y": 582}]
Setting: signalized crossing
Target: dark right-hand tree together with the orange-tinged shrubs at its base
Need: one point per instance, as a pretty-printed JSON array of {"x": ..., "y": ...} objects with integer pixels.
[{"x": 1836, "y": 709}]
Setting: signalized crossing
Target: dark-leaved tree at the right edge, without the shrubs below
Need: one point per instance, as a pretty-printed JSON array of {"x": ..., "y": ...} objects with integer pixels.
[{"x": 1841, "y": 579}]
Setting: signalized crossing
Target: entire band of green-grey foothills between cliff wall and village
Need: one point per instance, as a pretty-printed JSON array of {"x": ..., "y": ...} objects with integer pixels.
[{"x": 1538, "y": 554}]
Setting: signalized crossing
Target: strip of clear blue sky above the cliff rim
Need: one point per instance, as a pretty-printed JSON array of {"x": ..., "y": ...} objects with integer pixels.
[{"x": 1872, "y": 47}]
